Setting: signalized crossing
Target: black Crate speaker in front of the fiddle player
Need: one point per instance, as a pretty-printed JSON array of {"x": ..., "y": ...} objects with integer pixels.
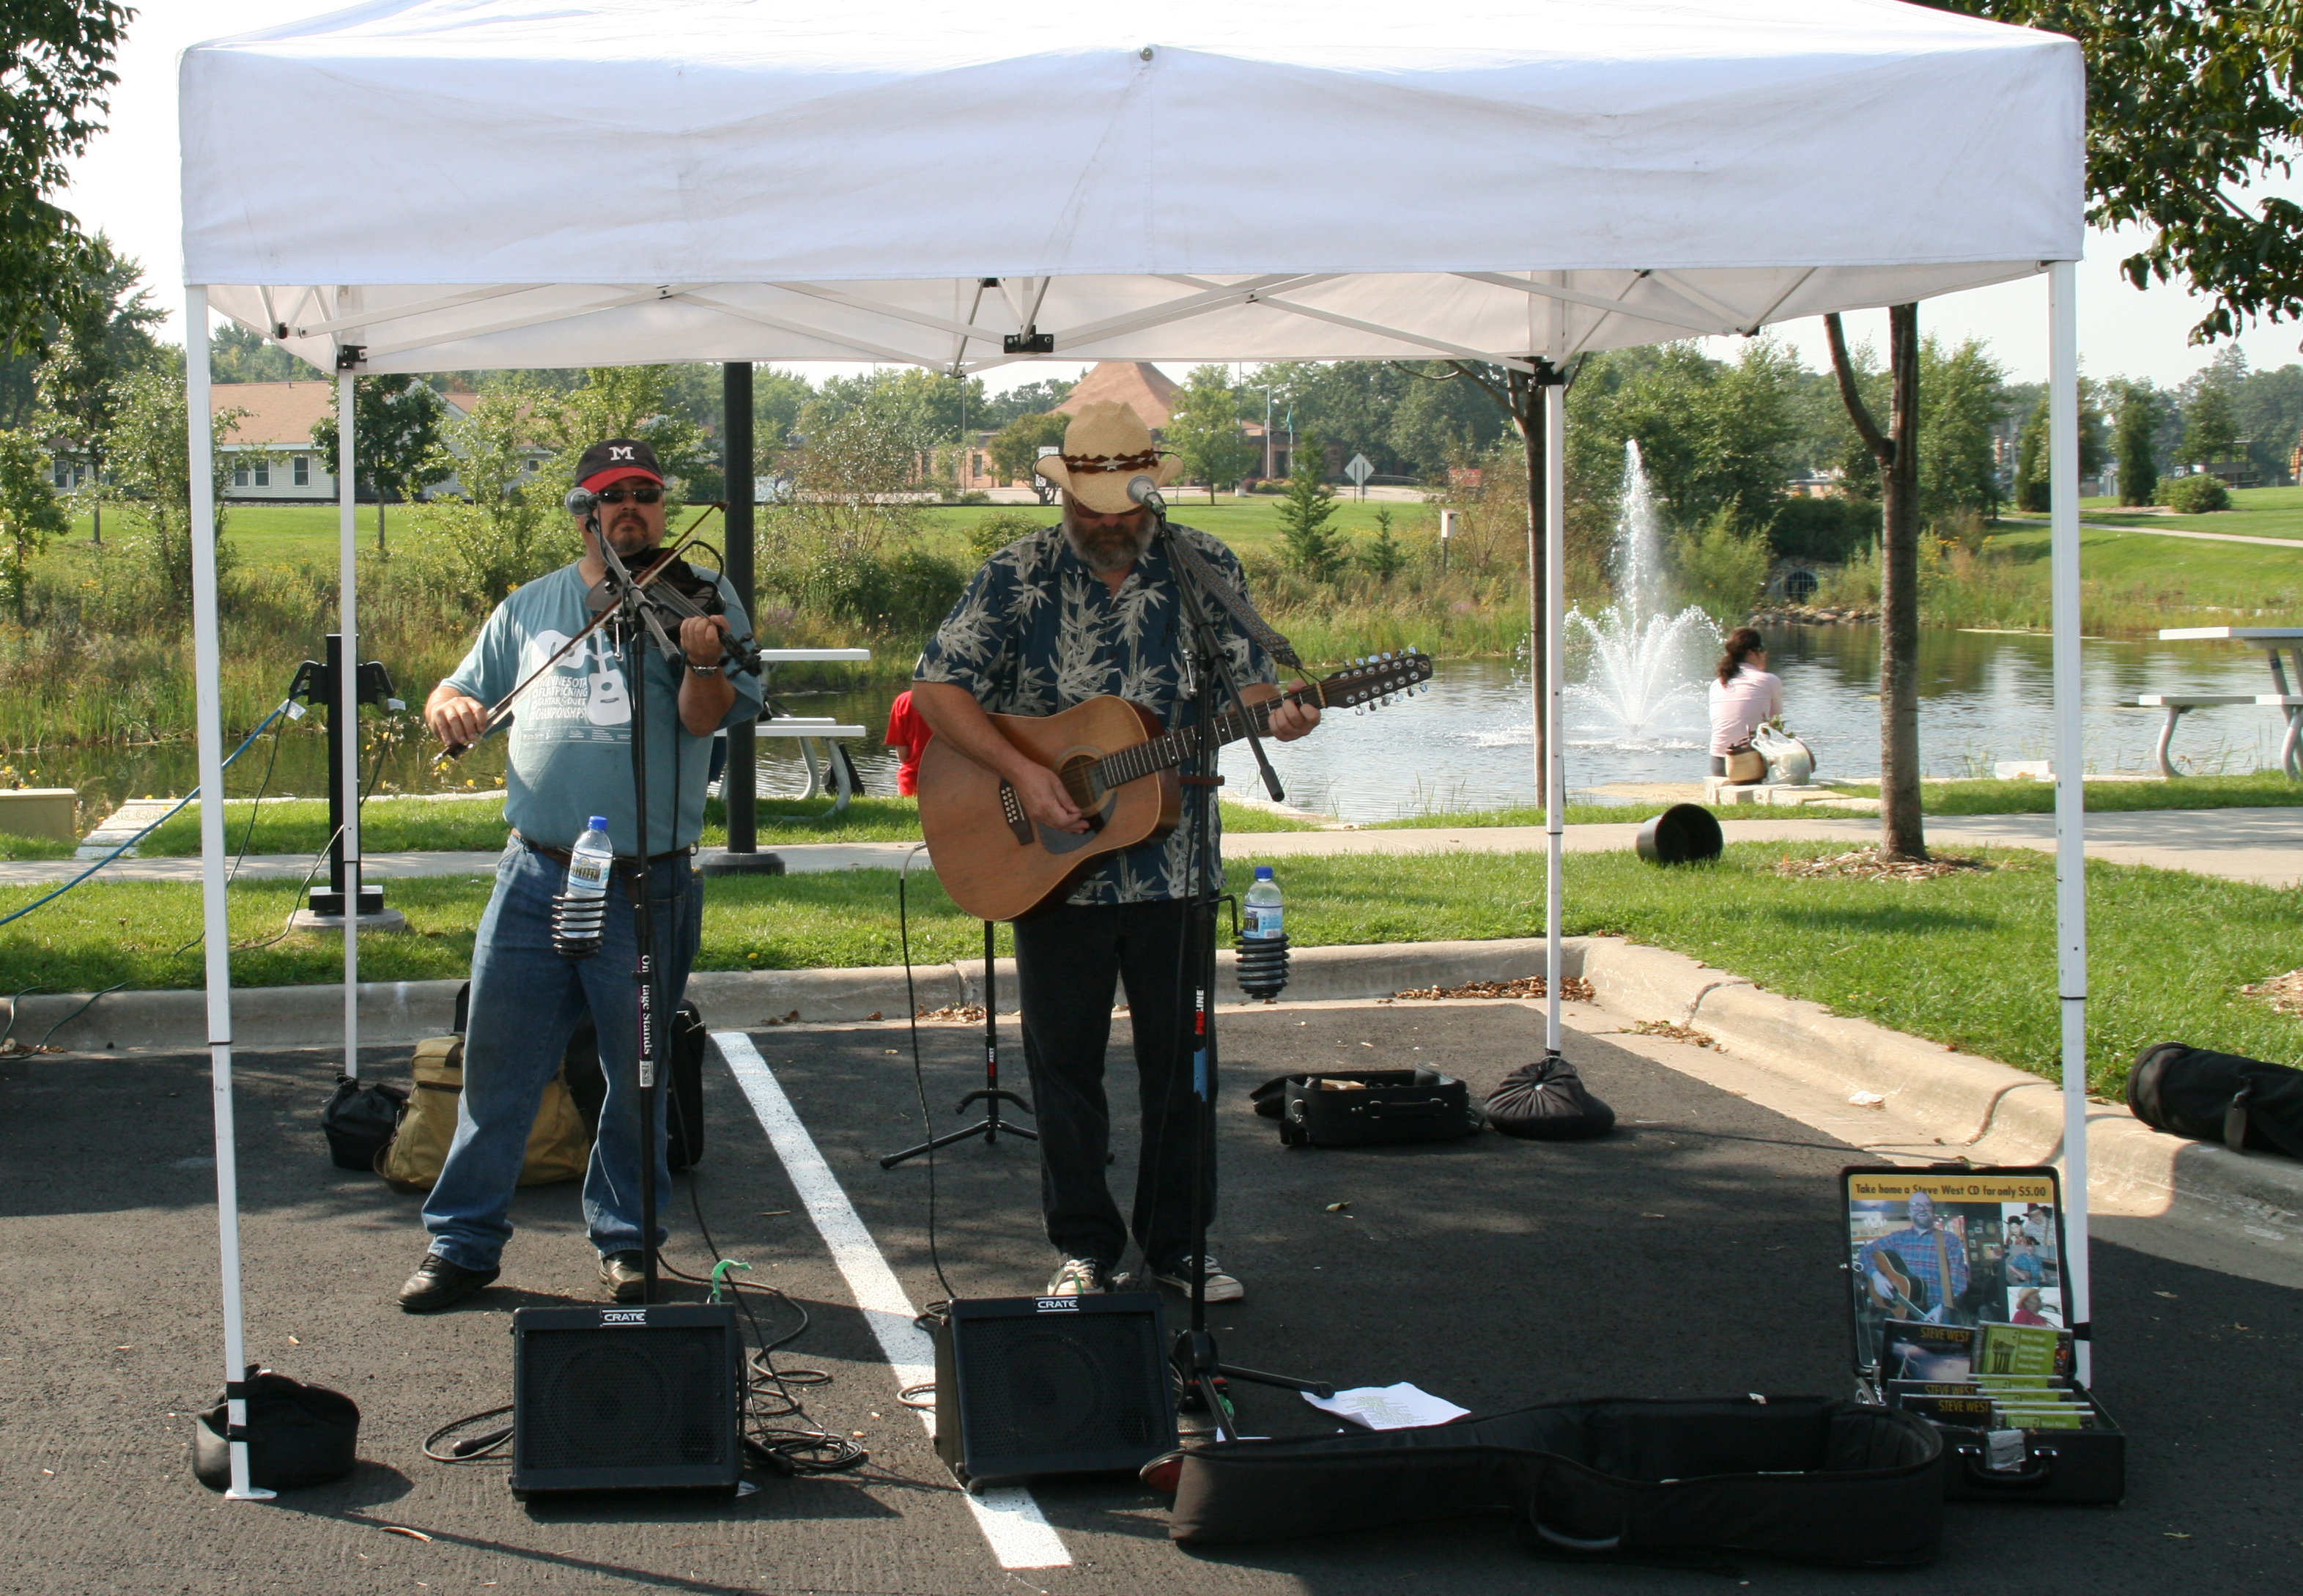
[{"x": 628, "y": 1399}]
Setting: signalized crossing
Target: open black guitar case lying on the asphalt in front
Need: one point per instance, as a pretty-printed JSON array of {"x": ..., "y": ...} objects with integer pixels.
[{"x": 1800, "y": 1477}]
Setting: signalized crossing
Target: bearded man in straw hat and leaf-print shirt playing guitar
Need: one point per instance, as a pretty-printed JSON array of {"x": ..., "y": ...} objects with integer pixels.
[{"x": 1051, "y": 621}]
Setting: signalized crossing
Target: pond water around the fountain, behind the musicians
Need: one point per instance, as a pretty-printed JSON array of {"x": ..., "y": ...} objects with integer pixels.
[{"x": 1466, "y": 745}]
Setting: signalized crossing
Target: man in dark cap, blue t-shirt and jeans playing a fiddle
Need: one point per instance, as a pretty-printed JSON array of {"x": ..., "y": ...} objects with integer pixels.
[{"x": 572, "y": 759}]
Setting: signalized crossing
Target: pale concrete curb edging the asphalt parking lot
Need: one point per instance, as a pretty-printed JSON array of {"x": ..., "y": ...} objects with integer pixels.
[{"x": 1979, "y": 1109}]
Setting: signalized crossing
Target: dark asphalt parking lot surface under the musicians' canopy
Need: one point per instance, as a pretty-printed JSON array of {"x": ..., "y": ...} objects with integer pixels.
[{"x": 1694, "y": 1254}]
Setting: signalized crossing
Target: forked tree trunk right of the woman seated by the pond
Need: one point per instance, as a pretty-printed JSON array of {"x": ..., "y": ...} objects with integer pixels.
[{"x": 1901, "y": 828}]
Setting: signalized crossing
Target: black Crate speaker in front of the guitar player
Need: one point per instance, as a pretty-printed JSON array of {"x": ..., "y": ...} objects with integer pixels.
[{"x": 1061, "y": 1385}]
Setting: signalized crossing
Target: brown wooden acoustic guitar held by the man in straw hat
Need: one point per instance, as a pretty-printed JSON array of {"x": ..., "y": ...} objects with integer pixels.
[{"x": 1120, "y": 770}]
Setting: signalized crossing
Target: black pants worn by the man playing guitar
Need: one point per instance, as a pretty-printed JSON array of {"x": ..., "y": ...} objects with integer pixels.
[{"x": 1070, "y": 962}]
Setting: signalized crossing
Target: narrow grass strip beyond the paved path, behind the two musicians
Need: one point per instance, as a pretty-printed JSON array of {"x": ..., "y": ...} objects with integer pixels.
[{"x": 416, "y": 826}]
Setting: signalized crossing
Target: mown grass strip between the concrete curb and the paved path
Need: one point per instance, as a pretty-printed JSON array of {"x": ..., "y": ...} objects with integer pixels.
[{"x": 1963, "y": 959}]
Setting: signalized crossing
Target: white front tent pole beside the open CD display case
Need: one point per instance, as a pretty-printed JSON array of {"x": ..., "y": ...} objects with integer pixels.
[{"x": 2069, "y": 782}]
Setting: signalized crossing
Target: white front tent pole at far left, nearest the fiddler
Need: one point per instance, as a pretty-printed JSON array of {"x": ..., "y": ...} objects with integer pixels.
[{"x": 215, "y": 929}]
